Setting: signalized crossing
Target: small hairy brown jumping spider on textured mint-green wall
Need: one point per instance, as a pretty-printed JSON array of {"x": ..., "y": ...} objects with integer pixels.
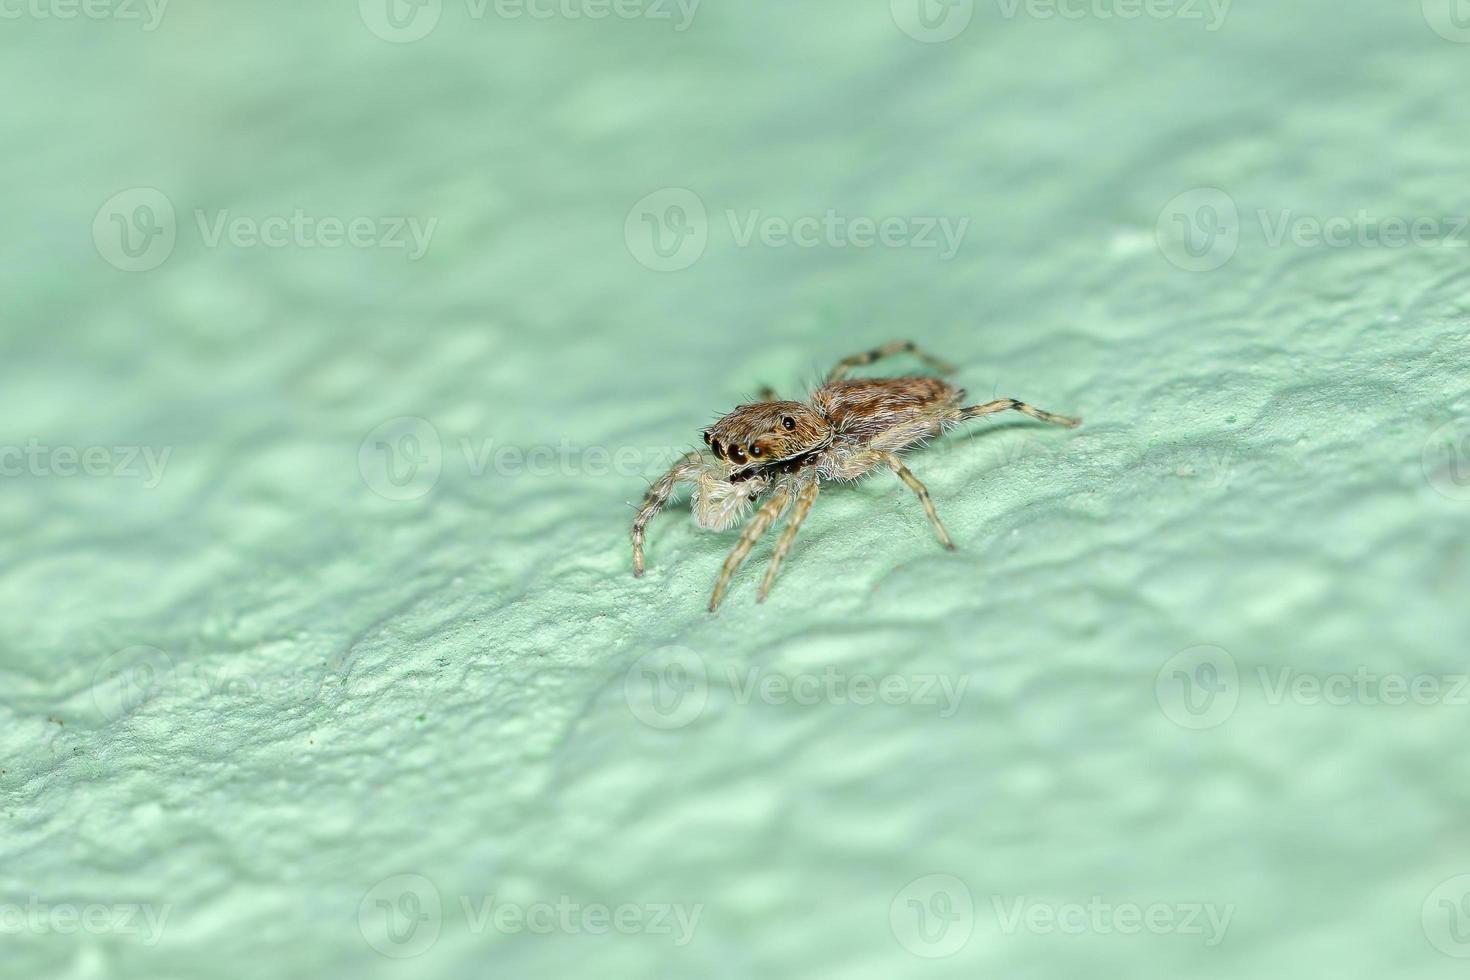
[{"x": 787, "y": 449}]
